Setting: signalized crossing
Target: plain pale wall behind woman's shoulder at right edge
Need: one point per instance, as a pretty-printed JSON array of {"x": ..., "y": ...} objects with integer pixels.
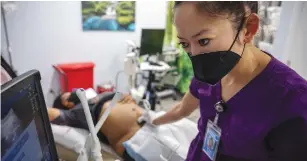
[{"x": 290, "y": 45}]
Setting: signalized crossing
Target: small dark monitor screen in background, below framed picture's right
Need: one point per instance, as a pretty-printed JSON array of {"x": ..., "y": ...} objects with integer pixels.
[{"x": 152, "y": 41}]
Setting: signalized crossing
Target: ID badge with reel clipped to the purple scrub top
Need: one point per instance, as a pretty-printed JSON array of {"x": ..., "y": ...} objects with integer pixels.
[{"x": 213, "y": 133}]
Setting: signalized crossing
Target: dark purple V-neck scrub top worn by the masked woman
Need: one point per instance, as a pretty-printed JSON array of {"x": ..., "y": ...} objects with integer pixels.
[{"x": 265, "y": 121}]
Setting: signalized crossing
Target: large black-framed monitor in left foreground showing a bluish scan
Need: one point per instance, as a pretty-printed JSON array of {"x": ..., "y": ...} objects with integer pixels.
[{"x": 25, "y": 128}]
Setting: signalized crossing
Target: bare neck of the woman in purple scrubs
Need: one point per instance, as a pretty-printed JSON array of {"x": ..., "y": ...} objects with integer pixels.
[{"x": 252, "y": 62}]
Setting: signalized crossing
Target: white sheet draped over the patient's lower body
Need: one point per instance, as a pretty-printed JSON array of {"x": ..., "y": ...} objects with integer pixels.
[{"x": 167, "y": 142}]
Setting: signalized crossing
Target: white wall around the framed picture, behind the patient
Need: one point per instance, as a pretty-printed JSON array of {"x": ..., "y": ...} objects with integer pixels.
[{"x": 47, "y": 33}]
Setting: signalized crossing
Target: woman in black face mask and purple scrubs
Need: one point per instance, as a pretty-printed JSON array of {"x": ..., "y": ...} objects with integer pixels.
[{"x": 252, "y": 106}]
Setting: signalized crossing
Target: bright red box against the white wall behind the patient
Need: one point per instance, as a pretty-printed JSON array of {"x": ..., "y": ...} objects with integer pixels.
[{"x": 77, "y": 75}]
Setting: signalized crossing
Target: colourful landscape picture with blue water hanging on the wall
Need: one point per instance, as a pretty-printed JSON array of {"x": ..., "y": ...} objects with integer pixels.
[{"x": 108, "y": 15}]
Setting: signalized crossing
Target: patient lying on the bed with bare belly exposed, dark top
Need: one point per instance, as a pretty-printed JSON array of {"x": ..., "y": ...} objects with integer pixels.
[{"x": 119, "y": 127}]
